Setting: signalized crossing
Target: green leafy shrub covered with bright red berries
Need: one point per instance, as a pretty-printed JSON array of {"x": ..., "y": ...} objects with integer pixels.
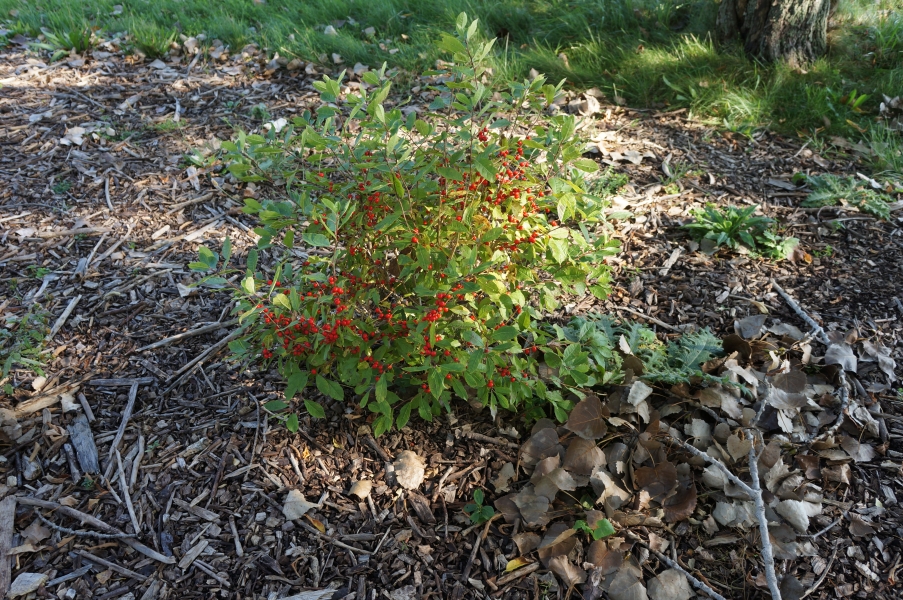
[{"x": 419, "y": 252}]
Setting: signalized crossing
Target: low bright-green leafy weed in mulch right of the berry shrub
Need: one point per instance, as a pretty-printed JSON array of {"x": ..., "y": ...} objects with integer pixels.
[{"x": 734, "y": 227}]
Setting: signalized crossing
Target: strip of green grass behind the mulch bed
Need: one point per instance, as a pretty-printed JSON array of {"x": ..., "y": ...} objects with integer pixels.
[{"x": 651, "y": 53}]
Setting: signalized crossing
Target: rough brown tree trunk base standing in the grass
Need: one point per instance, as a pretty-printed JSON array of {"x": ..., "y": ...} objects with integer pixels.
[{"x": 771, "y": 30}]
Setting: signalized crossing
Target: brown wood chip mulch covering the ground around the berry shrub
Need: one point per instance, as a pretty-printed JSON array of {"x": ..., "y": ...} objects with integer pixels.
[{"x": 186, "y": 500}]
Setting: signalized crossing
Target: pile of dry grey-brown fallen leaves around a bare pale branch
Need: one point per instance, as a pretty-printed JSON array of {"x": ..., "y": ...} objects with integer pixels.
[{"x": 626, "y": 459}]
